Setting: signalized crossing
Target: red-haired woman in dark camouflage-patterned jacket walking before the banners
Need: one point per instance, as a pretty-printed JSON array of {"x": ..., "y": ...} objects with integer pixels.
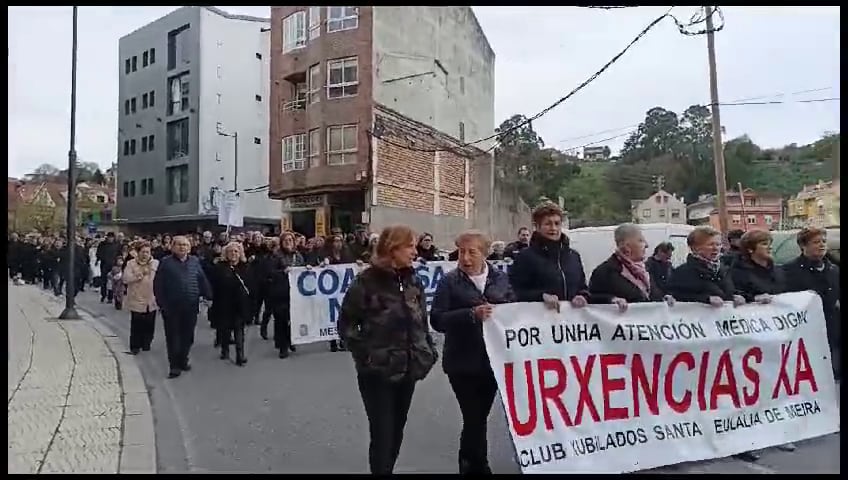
[{"x": 383, "y": 320}]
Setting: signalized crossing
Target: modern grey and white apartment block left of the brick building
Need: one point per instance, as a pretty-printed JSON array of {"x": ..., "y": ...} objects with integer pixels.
[{"x": 193, "y": 121}]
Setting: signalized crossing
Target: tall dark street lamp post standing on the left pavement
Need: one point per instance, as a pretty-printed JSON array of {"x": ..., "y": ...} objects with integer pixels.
[{"x": 70, "y": 312}]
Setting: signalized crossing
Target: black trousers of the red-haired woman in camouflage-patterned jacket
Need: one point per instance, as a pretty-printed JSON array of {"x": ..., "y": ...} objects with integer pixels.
[{"x": 387, "y": 406}]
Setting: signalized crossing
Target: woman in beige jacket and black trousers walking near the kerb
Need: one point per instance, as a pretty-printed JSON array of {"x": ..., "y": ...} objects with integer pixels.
[{"x": 140, "y": 300}]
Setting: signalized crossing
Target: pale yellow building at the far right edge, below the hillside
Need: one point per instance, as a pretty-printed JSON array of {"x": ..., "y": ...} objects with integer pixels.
[{"x": 815, "y": 205}]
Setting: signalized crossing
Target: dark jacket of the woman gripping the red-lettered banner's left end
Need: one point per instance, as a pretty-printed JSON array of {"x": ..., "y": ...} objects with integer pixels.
[{"x": 451, "y": 313}]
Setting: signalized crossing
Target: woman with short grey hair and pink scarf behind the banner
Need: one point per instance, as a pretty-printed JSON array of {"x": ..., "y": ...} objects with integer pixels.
[{"x": 623, "y": 278}]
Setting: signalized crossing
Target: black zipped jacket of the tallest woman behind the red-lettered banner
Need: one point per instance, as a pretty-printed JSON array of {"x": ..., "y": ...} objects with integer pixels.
[{"x": 548, "y": 267}]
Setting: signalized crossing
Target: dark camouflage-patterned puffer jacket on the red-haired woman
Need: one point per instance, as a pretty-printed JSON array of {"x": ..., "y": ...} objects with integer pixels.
[{"x": 383, "y": 321}]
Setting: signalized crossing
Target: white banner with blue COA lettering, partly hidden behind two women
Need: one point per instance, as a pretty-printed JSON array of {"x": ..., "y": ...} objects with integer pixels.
[{"x": 317, "y": 293}]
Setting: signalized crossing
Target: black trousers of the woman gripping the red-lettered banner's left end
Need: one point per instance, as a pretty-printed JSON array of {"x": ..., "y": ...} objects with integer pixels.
[{"x": 475, "y": 394}]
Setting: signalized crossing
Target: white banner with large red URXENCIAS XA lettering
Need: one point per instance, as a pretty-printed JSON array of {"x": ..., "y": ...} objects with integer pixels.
[{"x": 593, "y": 390}]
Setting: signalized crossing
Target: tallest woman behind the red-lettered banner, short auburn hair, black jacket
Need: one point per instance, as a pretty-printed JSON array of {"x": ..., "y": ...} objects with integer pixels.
[{"x": 549, "y": 270}]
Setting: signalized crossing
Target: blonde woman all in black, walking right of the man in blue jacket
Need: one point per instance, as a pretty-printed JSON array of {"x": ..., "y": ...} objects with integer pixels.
[{"x": 232, "y": 307}]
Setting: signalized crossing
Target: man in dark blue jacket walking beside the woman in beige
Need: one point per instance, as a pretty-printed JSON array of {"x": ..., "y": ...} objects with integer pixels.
[{"x": 178, "y": 285}]
